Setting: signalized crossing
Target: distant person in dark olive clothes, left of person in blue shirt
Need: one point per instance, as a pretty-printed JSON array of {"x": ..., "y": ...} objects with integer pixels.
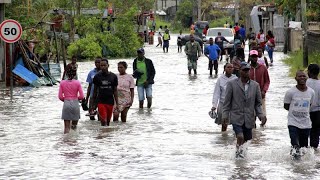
[{"x": 193, "y": 52}]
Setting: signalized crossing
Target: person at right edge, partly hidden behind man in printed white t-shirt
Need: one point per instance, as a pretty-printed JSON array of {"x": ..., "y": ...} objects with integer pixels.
[{"x": 314, "y": 83}]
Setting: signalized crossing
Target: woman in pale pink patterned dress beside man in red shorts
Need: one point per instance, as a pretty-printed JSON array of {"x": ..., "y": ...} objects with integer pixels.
[{"x": 125, "y": 92}]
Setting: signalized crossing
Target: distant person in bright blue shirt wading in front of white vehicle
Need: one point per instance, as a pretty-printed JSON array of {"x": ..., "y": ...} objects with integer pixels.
[{"x": 213, "y": 52}]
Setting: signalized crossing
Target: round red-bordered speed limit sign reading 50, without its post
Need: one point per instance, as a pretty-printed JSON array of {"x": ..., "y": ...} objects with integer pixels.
[{"x": 10, "y": 31}]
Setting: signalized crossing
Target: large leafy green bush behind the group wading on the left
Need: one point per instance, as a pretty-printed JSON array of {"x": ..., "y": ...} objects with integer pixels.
[{"x": 120, "y": 41}]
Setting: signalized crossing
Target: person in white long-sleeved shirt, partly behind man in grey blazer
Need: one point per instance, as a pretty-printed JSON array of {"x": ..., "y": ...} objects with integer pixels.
[{"x": 220, "y": 92}]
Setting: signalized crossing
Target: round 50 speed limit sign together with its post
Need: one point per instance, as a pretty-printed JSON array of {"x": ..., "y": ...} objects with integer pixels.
[{"x": 10, "y": 32}]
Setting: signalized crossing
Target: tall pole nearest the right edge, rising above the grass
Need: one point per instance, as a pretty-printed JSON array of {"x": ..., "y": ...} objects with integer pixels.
[{"x": 304, "y": 32}]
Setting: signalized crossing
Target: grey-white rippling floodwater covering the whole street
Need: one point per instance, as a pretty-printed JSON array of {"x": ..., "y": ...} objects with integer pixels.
[{"x": 176, "y": 139}]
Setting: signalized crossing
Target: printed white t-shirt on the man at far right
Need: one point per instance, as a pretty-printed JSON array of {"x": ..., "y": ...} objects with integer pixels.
[{"x": 299, "y": 109}]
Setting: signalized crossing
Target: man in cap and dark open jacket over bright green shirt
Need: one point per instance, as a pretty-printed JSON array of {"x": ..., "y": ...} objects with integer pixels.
[{"x": 144, "y": 72}]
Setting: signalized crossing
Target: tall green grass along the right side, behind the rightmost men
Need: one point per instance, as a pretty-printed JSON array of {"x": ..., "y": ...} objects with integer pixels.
[{"x": 295, "y": 61}]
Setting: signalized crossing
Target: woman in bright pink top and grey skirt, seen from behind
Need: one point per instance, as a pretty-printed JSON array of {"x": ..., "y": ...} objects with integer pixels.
[{"x": 70, "y": 92}]
